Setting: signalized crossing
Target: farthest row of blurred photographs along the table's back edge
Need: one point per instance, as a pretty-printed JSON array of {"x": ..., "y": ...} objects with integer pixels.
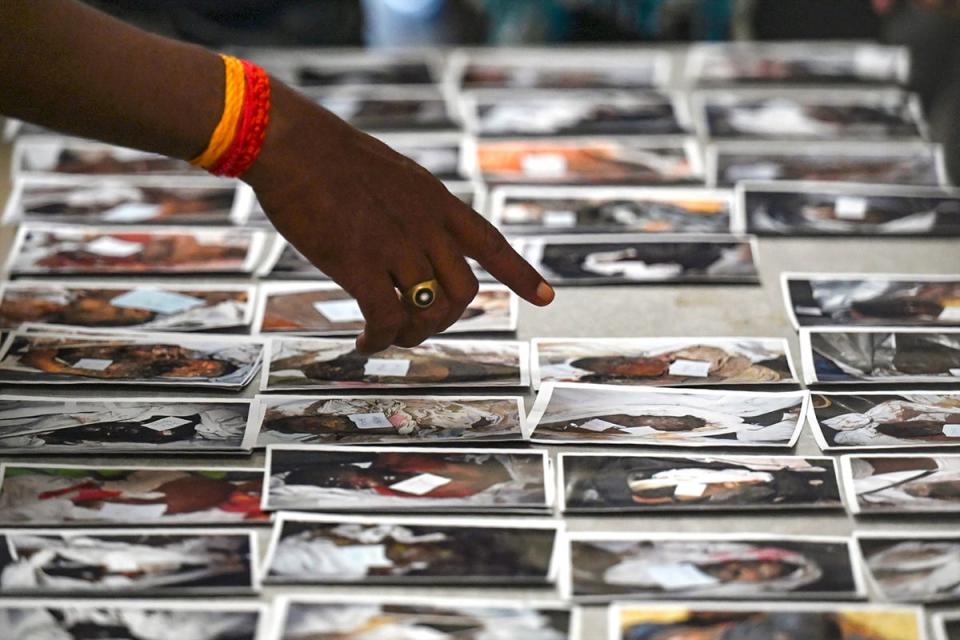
[{"x": 635, "y": 68}]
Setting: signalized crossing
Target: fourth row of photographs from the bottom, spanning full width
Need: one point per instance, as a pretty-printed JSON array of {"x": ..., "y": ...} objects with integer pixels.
[{"x": 856, "y": 421}]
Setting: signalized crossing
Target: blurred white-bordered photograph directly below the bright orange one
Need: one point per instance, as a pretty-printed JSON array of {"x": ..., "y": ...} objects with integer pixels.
[{"x": 542, "y": 210}]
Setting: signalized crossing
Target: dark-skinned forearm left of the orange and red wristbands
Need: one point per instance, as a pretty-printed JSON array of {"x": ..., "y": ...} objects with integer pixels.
[{"x": 66, "y": 66}]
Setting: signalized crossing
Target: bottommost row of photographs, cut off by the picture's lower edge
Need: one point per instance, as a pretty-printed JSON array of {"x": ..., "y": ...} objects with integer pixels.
[{"x": 304, "y": 617}]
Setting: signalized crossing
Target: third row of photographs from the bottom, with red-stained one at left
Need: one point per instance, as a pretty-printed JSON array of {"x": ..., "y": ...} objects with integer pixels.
[{"x": 480, "y": 480}]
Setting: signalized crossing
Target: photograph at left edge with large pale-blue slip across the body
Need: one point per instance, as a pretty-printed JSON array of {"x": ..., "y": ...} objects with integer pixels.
[{"x": 130, "y": 305}]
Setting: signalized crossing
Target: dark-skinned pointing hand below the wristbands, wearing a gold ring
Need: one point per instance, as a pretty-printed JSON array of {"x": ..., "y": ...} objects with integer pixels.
[{"x": 375, "y": 222}]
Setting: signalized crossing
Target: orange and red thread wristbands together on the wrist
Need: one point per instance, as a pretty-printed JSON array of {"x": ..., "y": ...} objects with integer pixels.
[{"x": 238, "y": 137}]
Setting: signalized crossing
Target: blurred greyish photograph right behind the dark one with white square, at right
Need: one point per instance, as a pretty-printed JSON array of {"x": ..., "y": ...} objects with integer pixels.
[{"x": 914, "y": 163}]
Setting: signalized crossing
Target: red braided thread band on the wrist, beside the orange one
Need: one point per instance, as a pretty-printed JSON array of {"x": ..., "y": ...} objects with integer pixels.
[{"x": 252, "y": 125}]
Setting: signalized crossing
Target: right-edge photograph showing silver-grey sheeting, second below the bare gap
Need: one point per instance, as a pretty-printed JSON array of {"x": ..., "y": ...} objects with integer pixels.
[{"x": 840, "y": 355}]
